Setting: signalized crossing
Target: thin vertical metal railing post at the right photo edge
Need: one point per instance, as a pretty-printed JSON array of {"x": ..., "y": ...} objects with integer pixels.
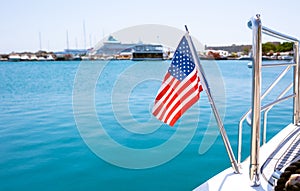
[{"x": 296, "y": 84}]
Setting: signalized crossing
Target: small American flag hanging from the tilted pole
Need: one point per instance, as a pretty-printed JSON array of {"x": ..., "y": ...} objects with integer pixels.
[{"x": 180, "y": 88}]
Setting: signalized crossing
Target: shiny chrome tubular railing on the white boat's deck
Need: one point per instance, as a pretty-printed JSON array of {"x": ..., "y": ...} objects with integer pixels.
[{"x": 255, "y": 112}]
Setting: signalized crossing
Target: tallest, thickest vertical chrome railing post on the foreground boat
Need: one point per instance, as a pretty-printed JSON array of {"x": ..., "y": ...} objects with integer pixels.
[{"x": 256, "y": 101}]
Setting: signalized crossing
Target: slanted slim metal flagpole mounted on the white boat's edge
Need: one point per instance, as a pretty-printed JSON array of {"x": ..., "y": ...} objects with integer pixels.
[{"x": 205, "y": 86}]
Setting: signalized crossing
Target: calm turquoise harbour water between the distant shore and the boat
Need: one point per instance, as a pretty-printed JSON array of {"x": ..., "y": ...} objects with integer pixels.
[{"x": 42, "y": 148}]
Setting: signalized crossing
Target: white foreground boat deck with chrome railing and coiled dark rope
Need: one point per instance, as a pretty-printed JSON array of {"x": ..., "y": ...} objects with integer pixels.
[{"x": 272, "y": 165}]
